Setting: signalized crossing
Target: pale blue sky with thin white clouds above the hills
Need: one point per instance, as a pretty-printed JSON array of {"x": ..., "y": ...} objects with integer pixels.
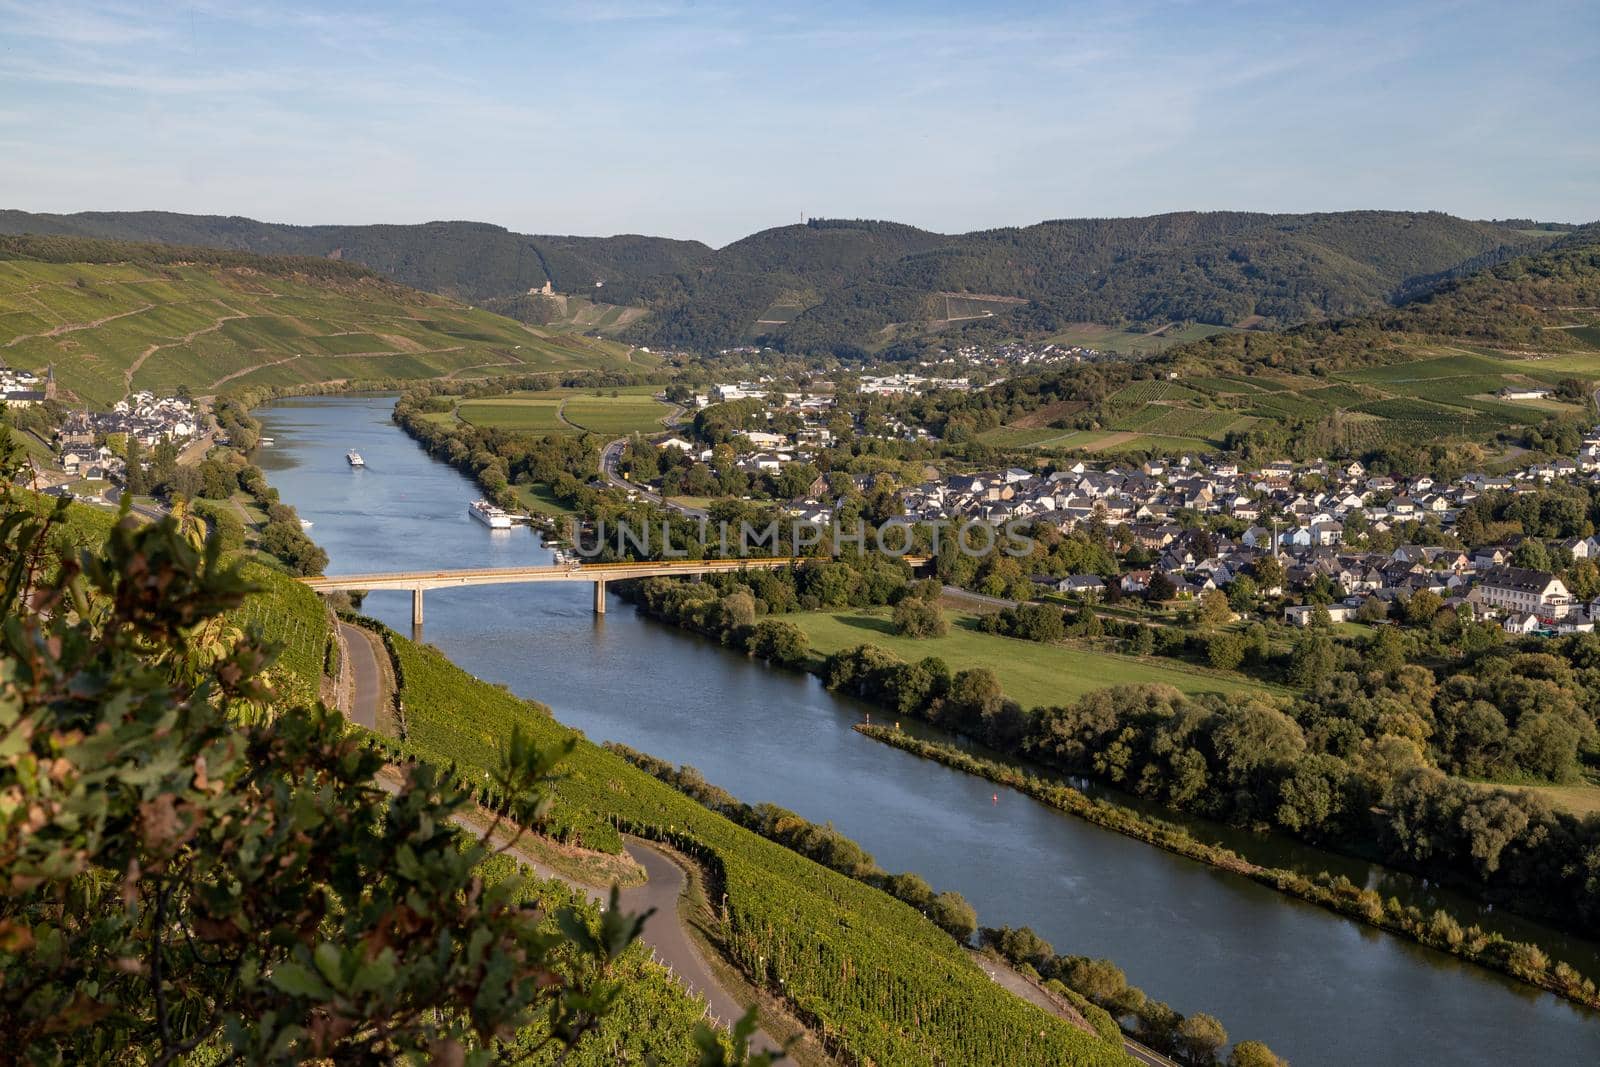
[{"x": 711, "y": 121}]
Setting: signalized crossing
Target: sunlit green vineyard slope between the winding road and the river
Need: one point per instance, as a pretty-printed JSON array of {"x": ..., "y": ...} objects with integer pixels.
[{"x": 874, "y": 978}]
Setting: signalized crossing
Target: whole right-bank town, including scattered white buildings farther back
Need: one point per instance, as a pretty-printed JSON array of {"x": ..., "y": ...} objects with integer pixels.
[{"x": 1332, "y": 527}]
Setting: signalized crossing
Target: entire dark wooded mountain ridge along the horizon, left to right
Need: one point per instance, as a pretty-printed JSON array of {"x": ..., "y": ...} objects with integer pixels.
[{"x": 842, "y": 286}]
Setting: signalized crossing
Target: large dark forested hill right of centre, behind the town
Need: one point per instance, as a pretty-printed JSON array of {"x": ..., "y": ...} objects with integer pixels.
[{"x": 1233, "y": 270}]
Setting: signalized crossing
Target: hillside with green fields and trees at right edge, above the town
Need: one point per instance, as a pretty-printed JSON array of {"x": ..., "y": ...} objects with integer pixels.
[{"x": 1494, "y": 358}]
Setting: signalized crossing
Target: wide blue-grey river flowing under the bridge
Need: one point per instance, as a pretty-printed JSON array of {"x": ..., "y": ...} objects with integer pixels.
[{"x": 1318, "y": 988}]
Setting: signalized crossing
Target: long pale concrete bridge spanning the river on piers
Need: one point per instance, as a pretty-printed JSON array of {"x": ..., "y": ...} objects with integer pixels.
[{"x": 598, "y": 573}]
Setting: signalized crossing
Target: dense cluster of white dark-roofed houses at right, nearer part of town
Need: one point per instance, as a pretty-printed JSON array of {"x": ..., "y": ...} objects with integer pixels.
[{"x": 1298, "y": 514}]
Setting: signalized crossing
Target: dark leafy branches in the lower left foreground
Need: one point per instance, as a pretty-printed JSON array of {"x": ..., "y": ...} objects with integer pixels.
[{"x": 190, "y": 866}]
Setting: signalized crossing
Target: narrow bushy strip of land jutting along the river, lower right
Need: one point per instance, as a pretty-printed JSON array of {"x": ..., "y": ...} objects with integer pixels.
[{"x": 1521, "y": 961}]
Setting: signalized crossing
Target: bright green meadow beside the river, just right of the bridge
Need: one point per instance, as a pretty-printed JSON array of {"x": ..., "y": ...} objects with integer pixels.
[{"x": 1030, "y": 673}]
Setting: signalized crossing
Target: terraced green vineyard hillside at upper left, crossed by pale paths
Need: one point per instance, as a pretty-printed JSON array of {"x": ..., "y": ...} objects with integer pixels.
[{"x": 114, "y": 318}]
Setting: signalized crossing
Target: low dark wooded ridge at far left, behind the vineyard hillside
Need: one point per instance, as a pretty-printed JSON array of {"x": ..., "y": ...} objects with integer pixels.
[{"x": 473, "y": 262}]
